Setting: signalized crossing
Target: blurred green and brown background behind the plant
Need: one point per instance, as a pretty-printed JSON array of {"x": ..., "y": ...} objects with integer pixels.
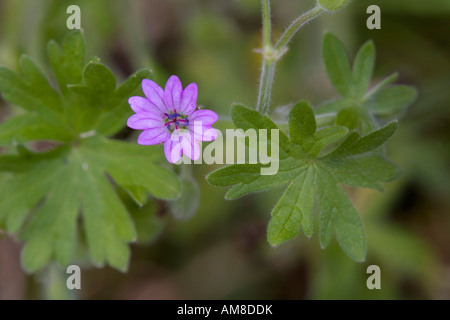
[{"x": 221, "y": 252}]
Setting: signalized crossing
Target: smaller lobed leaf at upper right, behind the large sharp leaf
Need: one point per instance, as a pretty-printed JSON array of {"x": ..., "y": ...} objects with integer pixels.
[{"x": 384, "y": 101}]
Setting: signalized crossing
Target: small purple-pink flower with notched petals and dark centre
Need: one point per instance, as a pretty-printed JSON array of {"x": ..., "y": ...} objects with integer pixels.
[{"x": 171, "y": 116}]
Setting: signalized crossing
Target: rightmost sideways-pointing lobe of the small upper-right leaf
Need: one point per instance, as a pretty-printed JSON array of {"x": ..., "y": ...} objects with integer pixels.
[{"x": 392, "y": 100}]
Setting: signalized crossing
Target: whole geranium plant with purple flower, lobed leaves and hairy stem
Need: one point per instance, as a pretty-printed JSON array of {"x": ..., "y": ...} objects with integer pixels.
[{"x": 65, "y": 199}]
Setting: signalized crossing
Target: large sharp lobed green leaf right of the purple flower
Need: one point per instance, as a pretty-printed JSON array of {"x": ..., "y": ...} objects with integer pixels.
[{"x": 314, "y": 175}]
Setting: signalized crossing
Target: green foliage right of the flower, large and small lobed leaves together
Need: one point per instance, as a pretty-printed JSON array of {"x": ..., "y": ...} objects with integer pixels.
[{"x": 315, "y": 162}]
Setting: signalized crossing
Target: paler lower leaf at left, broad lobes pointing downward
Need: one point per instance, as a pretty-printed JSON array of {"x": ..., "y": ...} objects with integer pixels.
[{"x": 68, "y": 181}]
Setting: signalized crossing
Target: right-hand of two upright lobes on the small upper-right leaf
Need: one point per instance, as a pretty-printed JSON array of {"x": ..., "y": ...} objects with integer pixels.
[{"x": 363, "y": 68}]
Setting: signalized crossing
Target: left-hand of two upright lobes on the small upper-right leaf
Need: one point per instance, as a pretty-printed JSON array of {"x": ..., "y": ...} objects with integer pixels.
[{"x": 337, "y": 64}]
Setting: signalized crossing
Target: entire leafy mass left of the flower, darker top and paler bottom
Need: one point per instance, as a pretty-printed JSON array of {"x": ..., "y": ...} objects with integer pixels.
[{"x": 60, "y": 199}]
